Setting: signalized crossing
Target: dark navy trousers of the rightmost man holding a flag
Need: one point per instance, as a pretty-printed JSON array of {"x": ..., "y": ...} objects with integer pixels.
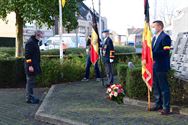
[{"x": 161, "y": 90}]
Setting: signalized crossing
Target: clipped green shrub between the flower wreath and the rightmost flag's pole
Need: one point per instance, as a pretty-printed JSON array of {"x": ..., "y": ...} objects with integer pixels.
[{"x": 135, "y": 86}]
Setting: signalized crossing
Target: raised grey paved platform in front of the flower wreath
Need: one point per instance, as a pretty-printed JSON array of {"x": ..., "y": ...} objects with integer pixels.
[{"x": 85, "y": 103}]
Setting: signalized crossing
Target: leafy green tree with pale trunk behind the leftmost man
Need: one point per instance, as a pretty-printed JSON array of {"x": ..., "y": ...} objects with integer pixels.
[{"x": 42, "y": 11}]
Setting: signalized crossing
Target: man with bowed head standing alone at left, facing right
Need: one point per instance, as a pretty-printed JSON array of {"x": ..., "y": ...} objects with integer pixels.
[{"x": 32, "y": 65}]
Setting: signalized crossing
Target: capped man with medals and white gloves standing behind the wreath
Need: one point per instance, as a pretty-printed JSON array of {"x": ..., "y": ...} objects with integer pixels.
[{"x": 108, "y": 56}]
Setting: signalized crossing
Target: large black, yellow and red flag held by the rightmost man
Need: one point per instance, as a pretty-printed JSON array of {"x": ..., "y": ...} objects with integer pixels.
[{"x": 147, "y": 58}]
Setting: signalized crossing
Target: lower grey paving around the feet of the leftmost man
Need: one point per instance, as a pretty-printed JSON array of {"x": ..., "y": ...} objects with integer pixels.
[{"x": 14, "y": 110}]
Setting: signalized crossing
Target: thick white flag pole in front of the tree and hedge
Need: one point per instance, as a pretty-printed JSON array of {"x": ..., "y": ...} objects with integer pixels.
[{"x": 60, "y": 30}]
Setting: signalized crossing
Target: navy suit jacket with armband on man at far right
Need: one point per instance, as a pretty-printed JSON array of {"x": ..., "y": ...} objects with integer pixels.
[{"x": 161, "y": 52}]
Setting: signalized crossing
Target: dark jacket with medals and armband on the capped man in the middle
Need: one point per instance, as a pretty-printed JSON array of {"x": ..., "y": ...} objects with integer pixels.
[{"x": 108, "y": 50}]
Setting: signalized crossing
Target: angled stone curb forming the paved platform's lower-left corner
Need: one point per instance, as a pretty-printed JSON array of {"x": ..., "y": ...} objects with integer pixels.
[{"x": 52, "y": 119}]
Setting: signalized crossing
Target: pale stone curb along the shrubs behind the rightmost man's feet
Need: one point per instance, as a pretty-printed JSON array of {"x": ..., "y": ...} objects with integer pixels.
[{"x": 174, "y": 109}]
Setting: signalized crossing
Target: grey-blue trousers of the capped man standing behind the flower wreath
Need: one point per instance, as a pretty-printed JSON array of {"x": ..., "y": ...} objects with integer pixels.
[{"x": 109, "y": 72}]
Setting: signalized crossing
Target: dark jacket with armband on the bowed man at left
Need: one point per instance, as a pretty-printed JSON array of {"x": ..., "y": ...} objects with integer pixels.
[{"x": 32, "y": 56}]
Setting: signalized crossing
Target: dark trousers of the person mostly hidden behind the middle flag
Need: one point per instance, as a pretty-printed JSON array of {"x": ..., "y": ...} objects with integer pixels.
[{"x": 88, "y": 64}]
